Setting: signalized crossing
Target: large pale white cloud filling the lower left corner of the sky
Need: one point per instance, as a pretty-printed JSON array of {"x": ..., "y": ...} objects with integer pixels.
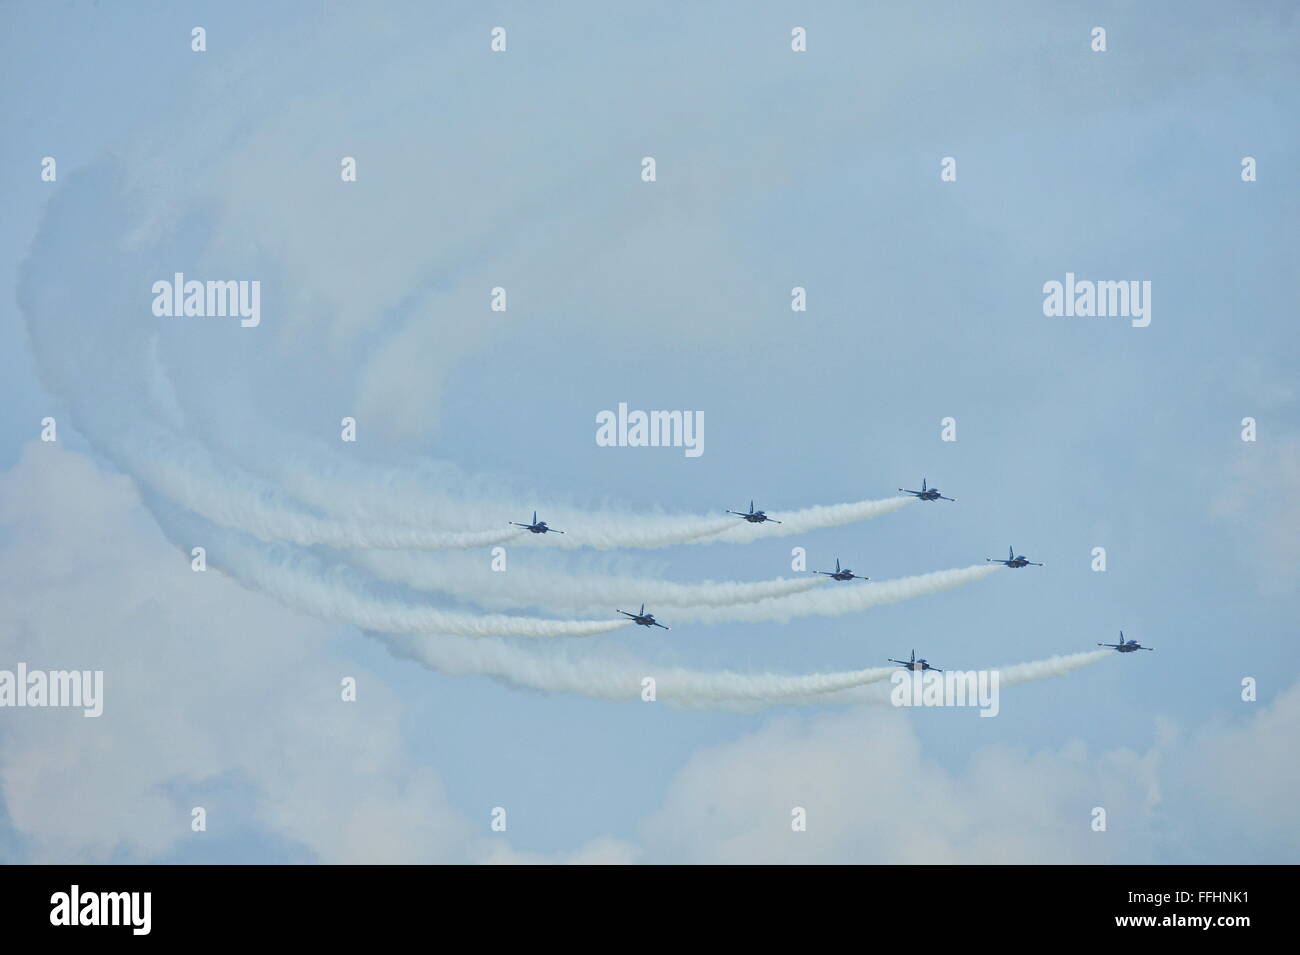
[{"x": 202, "y": 680}]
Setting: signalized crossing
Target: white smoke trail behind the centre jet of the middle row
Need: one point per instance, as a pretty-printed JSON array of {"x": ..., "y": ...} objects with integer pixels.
[{"x": 558, "y": 591}]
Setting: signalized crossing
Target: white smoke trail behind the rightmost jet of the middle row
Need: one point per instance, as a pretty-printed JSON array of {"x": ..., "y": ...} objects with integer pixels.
[{"x": 838, "y": 598}]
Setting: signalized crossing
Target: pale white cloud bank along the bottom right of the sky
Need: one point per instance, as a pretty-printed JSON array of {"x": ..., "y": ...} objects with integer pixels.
[{"x": 872, "y": 796}]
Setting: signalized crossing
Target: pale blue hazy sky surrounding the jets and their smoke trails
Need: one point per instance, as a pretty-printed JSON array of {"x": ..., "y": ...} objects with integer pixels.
[{"x": 775, "y": 170}]
